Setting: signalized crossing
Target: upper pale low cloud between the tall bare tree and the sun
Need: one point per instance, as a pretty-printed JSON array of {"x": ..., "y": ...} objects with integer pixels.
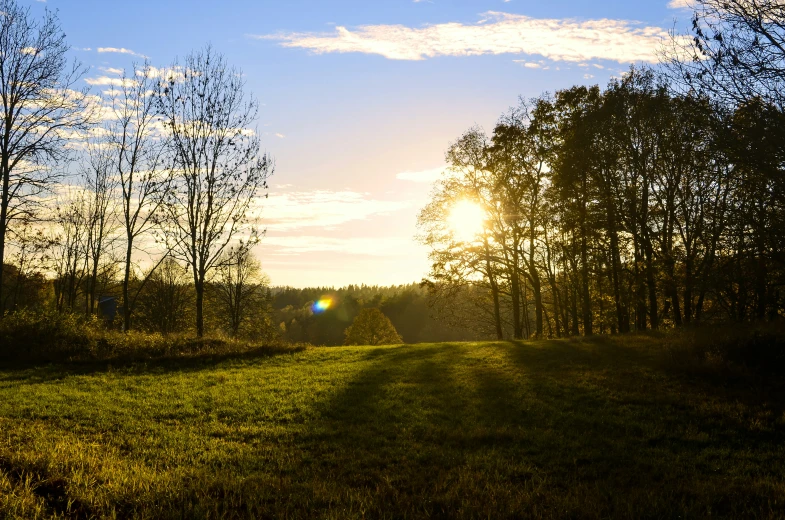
[{"x": 322, "y": 209}]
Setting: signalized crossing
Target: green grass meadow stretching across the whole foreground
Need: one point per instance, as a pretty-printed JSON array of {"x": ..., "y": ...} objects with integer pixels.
[{"x": 581, "y": 429}]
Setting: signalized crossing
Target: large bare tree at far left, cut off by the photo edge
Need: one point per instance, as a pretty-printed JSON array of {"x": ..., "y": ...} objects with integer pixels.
[{"x": 39, "y": 110}]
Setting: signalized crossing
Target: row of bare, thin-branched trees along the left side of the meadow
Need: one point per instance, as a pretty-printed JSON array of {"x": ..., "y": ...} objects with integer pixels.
[{"x": 165, "y": 164}]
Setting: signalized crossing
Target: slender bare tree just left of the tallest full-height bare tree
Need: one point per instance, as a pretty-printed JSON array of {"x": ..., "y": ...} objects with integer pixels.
[{"x": 137, "y": 154}]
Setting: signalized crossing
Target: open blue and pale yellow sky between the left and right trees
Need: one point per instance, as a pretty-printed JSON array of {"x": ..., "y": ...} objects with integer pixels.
[{"x": 359, "y": 100}]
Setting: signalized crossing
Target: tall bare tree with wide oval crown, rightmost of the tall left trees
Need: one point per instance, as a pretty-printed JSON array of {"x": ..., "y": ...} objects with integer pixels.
[{"x": 220, "y": 167}]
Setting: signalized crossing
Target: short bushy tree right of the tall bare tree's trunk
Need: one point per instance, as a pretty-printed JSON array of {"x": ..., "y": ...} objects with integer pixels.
[{"x": 240, "y": 287}]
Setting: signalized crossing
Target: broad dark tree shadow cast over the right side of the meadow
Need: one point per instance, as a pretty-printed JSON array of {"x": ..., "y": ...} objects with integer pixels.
[{"x": 587, "y": 423}]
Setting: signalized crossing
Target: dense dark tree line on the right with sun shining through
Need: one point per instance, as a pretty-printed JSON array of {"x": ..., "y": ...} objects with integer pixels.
[{"x": 655, "y": 202}]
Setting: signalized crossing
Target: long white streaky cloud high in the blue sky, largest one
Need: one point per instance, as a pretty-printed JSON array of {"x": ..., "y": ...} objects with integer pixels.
[{"x": 571, "y": 40}]
